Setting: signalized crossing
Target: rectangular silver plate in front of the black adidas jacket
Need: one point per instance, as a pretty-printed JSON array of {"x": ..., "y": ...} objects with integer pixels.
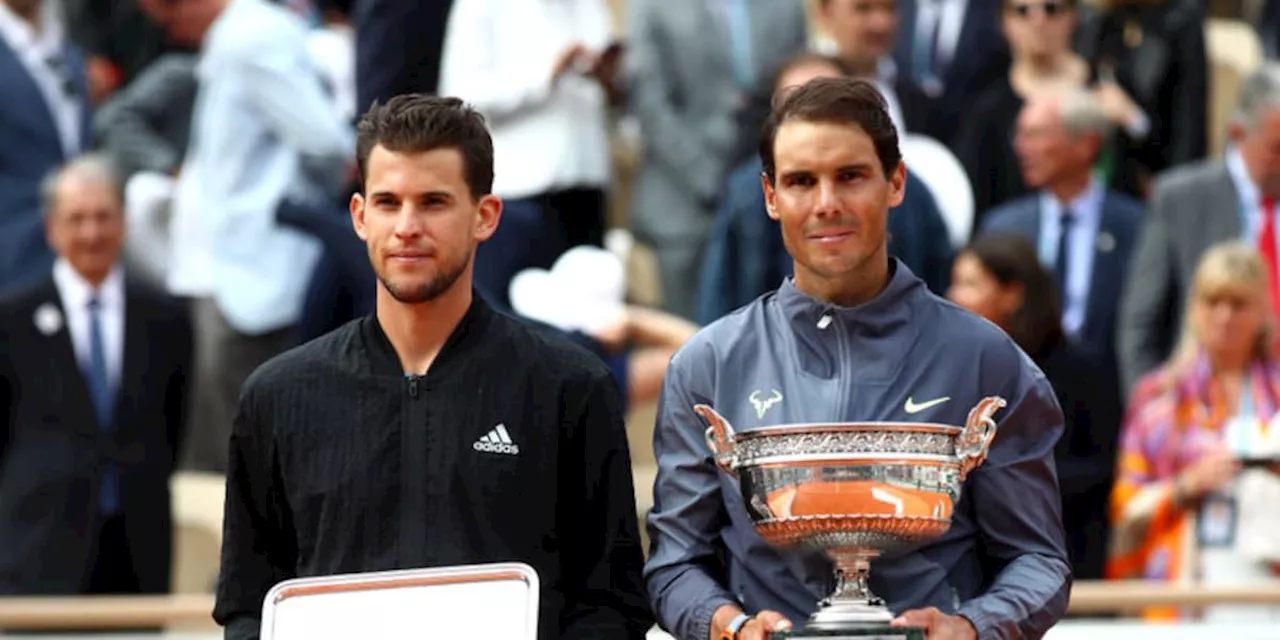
[{"x": 481, "y": 601}]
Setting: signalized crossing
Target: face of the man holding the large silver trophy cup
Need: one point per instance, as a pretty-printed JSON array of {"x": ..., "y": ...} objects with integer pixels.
[{"x": 831, "y": 198}]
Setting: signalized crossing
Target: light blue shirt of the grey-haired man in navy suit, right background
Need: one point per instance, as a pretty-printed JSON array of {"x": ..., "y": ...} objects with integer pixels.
[{"x": 1084, "y": 245}]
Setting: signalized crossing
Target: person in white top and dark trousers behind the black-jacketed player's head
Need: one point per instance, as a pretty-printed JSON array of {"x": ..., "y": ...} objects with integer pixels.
[{"x": 542, "y": 74}]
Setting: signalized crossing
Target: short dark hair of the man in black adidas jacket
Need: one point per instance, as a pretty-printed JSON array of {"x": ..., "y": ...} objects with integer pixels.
[{"x": 417, "y": 124}]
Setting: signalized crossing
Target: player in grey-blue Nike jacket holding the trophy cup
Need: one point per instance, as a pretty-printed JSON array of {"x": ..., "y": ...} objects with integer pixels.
[{"x": 853, "y": 337}]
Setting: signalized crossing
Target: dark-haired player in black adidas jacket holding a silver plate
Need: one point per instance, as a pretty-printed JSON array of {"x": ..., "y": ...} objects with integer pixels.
[{"x": 437, "y": 432}]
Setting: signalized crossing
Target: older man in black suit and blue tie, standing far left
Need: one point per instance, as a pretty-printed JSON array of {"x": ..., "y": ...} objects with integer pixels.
[{"x": 93, "y": 400}]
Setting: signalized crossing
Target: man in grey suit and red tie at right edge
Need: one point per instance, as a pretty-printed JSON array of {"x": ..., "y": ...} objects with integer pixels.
[{"x": 1194, "y": 208}]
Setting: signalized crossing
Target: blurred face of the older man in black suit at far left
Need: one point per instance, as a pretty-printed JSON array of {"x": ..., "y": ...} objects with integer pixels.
[{"x": 86, "y": 226}]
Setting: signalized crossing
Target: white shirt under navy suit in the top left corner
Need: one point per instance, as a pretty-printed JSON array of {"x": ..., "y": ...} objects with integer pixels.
[{"x": 42, "y": 52}]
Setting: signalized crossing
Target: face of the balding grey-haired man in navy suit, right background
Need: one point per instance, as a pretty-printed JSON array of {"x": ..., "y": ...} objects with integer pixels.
[{"x": 1045, "y": 150}]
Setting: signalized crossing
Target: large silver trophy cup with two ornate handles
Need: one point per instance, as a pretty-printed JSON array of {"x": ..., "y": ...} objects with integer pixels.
[{"x": 854, "y": 491}]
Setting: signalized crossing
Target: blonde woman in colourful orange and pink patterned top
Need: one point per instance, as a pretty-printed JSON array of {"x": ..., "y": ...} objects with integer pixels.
[{"x": 1196, "y": 491}]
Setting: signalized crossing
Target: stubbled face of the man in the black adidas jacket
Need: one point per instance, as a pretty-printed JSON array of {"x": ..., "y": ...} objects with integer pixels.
[{"x": 420, "y": 222}]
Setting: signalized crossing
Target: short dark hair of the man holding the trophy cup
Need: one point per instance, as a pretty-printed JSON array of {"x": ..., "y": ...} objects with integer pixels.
[{"x": 835, "y": 102}]
